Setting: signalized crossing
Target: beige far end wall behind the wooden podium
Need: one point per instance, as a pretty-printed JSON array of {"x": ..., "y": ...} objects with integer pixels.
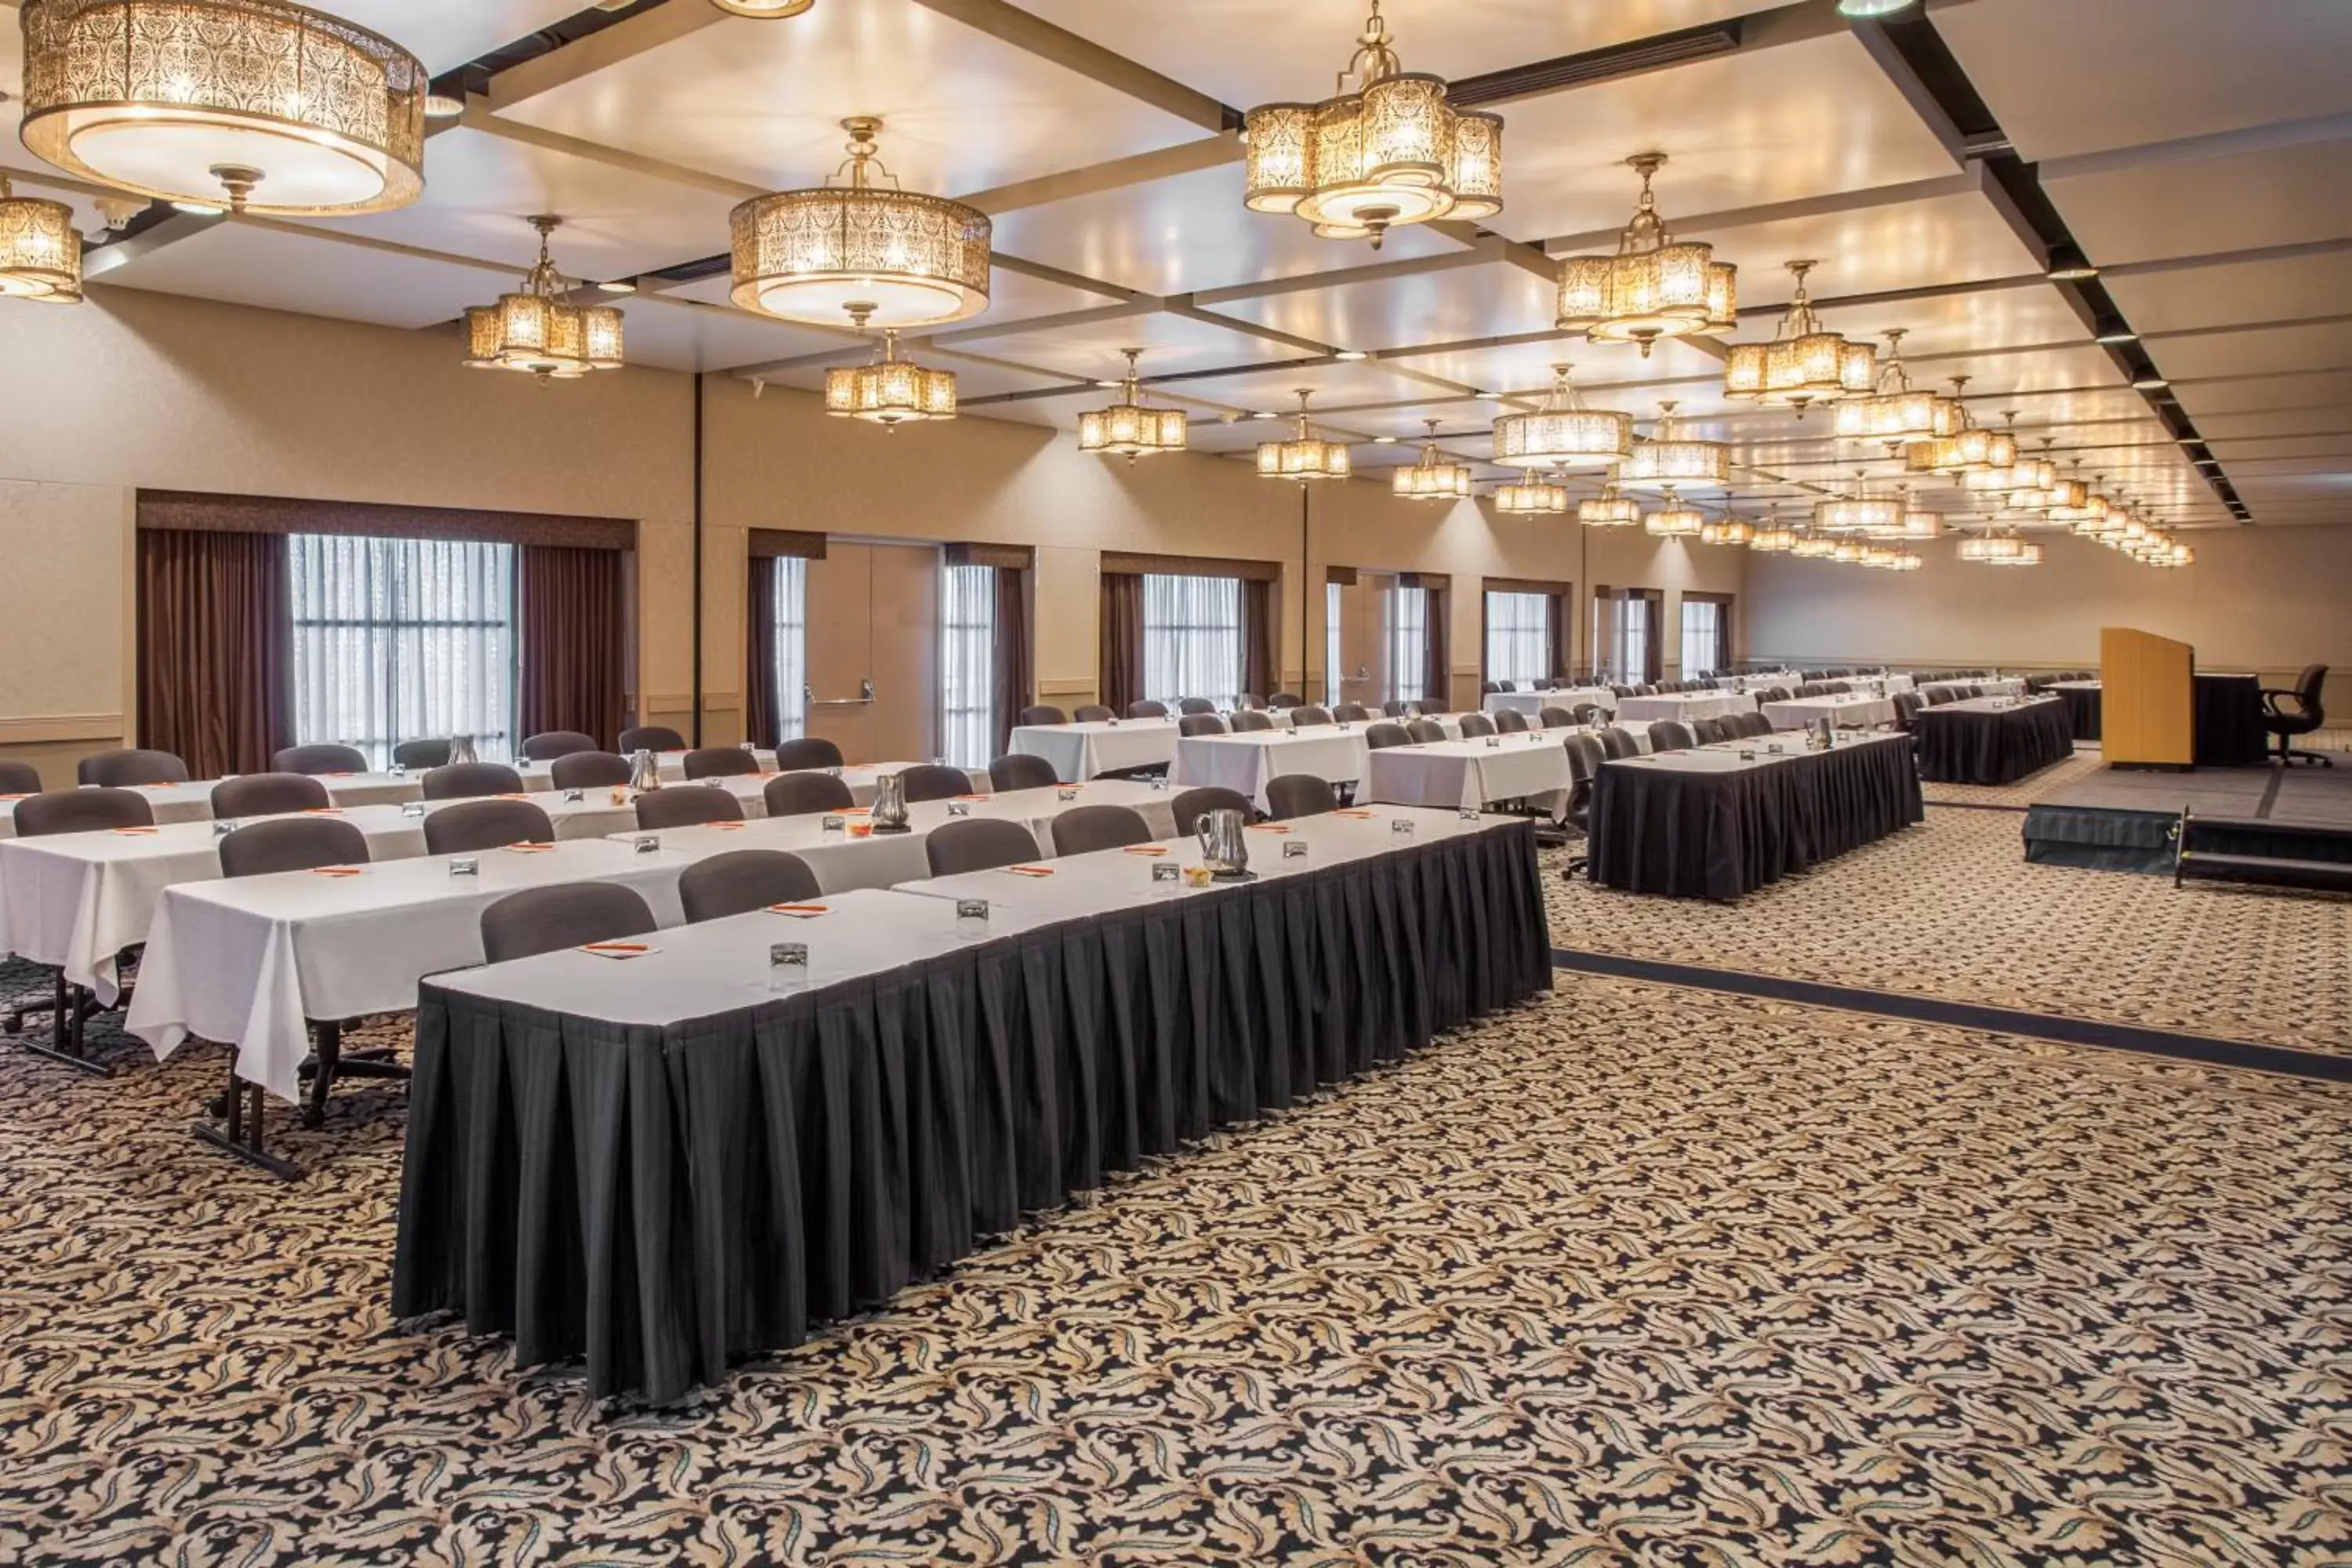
[{"x": 2269, "y": 601}]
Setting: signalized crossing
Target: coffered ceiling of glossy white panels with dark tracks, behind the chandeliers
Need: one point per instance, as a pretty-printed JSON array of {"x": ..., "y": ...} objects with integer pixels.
[{"x": 2196, "y": 149}]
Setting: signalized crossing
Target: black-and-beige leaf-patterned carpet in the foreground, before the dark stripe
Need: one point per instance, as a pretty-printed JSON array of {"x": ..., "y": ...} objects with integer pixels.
[{"x": 1629, "y": 1278}]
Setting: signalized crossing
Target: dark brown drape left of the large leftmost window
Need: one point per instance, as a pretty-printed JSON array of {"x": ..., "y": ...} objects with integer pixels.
[{"x": 215, "y": 650}]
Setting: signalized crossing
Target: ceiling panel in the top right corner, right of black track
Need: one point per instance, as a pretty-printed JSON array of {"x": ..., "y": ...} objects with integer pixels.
[{"x": 2087, "y": 76}]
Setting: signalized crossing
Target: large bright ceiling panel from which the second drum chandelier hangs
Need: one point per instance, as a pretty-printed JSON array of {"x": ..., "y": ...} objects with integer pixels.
[{"x": 763, "y": 102}]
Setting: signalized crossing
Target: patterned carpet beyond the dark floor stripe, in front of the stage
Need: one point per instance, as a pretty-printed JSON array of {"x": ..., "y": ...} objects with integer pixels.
[{"x": 1953, "y": 911}]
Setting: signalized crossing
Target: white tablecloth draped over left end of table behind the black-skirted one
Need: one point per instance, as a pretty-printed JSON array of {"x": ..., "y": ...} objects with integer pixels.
[{"x": 250, "y": 963}]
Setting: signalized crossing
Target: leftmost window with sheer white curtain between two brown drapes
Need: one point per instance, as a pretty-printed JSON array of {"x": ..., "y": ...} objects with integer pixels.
[{"x": 403, "y": 641}]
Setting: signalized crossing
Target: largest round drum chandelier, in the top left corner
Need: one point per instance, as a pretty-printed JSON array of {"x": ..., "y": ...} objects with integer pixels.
[{"x": 246, "y": 105}]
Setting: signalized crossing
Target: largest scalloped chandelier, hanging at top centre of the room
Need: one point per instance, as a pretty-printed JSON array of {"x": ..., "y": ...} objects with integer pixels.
[{"x": 1368, "y": 161}]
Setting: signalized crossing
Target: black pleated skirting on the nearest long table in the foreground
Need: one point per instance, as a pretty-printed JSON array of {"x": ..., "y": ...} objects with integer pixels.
[{"x": 662, "y": 1200}]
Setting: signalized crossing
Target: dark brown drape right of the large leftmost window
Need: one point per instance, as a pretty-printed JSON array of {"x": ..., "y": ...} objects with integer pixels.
[{"x": 573, "y": 631}]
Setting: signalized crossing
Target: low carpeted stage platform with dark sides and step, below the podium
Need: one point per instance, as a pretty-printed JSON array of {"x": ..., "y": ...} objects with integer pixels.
[{"x": 2123, "y": 819}]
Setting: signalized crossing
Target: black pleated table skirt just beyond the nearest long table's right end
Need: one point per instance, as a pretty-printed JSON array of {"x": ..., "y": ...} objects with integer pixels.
[{"x": 1720, "y": 836}]
